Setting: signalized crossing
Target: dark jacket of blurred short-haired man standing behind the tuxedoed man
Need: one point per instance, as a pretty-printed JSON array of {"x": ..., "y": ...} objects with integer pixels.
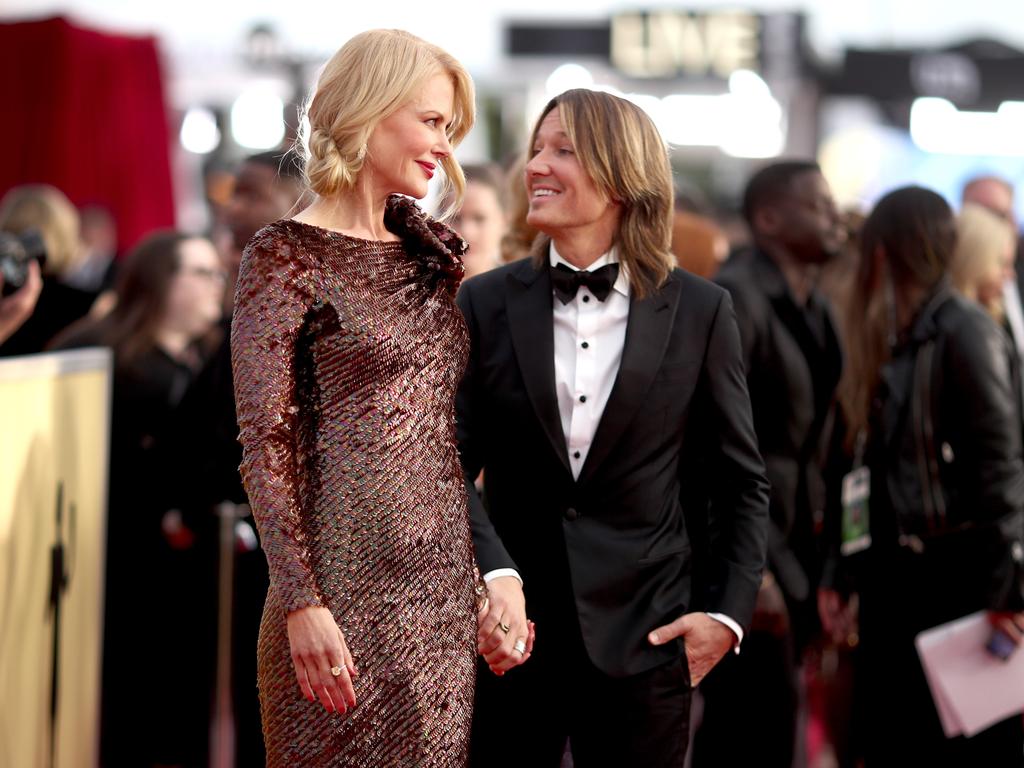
[{"x": 792, "y": 377}]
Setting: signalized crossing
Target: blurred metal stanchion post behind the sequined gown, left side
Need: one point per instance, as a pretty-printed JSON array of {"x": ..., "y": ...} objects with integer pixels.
[{"x": 223, "y": 740}]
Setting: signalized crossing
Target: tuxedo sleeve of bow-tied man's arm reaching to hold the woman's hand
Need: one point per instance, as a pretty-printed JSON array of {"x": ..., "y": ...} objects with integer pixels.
[{"x": 491, "y": 553}]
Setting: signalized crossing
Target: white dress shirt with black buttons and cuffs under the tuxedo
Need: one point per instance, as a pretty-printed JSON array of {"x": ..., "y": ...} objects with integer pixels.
[{"x": 590, "y": 336}]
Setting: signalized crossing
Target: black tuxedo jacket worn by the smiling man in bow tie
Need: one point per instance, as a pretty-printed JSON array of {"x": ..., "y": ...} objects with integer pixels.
[{"x": 673, "y": 483}]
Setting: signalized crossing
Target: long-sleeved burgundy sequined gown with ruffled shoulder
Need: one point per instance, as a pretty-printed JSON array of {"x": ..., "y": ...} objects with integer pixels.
[{"x": 347, "y": 355}]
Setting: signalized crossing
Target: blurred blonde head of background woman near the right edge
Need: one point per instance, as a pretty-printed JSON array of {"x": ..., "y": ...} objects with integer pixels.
[{"x": 984, "y": 260}]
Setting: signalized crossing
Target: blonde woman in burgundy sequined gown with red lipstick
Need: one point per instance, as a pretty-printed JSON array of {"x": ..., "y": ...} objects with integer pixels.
[{"x": 348, "y": 348}]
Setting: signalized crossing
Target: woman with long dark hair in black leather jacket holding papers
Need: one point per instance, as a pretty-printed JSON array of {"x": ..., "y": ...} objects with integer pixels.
[{"x": 931, "y": 410}]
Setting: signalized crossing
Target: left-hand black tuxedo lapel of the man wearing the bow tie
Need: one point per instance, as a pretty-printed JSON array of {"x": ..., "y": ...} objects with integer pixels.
[{"x": 532, "y": 328}]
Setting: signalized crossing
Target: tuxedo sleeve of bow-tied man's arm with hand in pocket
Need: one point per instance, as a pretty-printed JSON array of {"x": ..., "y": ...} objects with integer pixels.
[{"x": 739, "y": 514}]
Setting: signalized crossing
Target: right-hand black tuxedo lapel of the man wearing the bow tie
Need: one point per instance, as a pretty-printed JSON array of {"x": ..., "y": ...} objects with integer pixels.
[{"x": 648, "y": 333}]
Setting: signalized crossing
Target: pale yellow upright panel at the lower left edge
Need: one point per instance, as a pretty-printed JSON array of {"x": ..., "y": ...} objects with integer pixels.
[{"x": 56, "y": 415}]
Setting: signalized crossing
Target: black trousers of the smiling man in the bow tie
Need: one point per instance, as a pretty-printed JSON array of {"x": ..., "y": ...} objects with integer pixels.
[{"x": 526, "y": 717}]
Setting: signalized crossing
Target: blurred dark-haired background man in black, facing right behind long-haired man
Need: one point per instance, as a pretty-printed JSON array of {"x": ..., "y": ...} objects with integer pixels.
[{"x": 793, "y": 360}]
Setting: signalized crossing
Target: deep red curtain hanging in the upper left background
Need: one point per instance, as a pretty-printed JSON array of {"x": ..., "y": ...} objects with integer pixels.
[{"x": 84, "y": 111}]
